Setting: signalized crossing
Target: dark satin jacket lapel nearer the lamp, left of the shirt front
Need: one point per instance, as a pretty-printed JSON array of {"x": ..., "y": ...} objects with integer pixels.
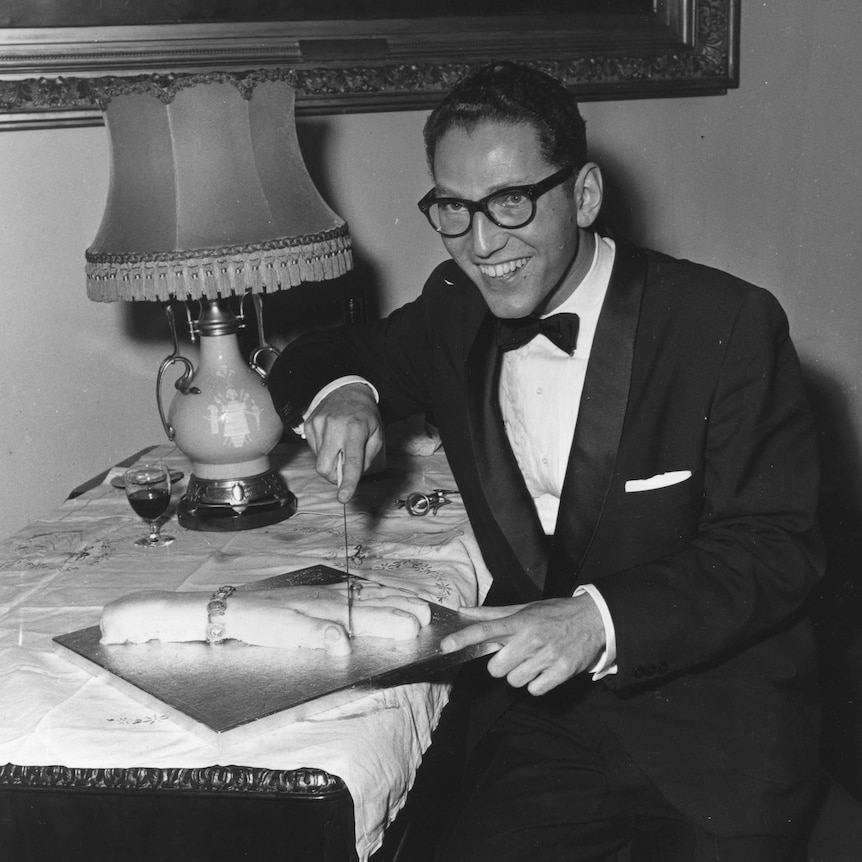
[{"x": 505, "y": 491}]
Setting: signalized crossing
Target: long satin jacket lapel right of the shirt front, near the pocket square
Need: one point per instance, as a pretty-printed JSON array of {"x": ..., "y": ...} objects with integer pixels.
[{"x": 600, "y": 422}]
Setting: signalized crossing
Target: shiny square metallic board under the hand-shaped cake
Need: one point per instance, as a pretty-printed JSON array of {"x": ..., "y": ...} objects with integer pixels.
[{"x": 236, "y": 691}]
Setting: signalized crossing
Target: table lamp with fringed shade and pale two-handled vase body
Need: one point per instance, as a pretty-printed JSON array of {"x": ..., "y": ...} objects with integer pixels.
[{"x": 210, "y": 204}]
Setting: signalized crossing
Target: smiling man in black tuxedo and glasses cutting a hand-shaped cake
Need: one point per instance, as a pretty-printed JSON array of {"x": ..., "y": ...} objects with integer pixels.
[{"x": 632, "y": 443}]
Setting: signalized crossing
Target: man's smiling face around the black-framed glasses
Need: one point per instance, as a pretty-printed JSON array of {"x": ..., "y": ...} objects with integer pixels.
[{"x": 521, "y": 271}]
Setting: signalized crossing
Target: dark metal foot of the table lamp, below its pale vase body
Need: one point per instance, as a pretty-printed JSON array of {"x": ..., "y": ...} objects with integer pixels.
[{"x": 219, "y": 505}]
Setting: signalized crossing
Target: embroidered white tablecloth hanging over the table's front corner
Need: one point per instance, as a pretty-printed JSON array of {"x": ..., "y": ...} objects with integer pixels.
[{"x": 57, "y": 573}]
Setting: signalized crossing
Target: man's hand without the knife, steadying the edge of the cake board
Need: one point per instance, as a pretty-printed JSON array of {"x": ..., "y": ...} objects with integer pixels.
[{"x": 539, "y": 645}]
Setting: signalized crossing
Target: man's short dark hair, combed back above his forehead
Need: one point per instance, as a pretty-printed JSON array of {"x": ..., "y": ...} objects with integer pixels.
[{"x": 506, "y": 92}]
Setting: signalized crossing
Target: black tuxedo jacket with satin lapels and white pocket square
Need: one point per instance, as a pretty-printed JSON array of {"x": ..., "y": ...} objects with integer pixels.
[{"x": 706, "y": 579}]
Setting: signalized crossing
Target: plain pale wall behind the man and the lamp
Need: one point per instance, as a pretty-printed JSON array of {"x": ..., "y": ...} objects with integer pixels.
[{"x": 763, "y": 182}]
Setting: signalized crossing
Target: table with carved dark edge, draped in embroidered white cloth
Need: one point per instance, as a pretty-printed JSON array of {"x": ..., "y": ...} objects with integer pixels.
[{"x": 67, "y": 733}]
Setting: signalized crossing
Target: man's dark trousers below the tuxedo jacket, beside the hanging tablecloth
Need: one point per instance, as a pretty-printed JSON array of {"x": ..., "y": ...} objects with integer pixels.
[{"x": 545, "y": 790}]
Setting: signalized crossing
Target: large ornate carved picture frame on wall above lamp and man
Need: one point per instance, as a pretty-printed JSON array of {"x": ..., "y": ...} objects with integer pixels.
[{"x": 55, "y": 74}]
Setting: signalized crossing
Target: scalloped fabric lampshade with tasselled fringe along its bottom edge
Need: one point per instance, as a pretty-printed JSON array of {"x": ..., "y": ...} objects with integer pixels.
[{"x": 209, "y": 196}]
